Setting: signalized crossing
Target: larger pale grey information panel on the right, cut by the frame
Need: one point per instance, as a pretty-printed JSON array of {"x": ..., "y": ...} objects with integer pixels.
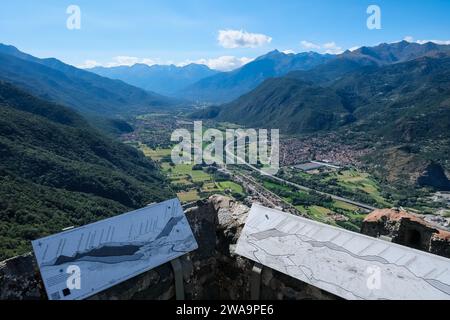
[{"x": 344, "y": 263}]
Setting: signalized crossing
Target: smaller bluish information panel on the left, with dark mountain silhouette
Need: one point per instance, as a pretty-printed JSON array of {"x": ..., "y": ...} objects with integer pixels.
[{"x": 78, "y": 263}]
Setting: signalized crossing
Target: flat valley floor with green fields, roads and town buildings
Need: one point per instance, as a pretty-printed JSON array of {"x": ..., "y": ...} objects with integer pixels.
[{"x": 349, "y": 179}]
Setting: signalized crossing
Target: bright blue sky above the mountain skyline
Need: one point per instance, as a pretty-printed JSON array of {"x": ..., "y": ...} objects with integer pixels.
[{"x": 181, "y": 31}]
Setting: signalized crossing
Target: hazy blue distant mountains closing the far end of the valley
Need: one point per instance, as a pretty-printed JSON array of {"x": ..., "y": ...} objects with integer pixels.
[{"x": 198, "y": 83}]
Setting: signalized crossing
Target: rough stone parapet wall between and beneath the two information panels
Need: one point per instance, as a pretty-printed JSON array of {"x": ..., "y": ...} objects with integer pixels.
[{"x": 211, "y": 272}]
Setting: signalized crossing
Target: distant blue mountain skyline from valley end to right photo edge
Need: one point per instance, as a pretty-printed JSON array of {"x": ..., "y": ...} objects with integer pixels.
[{"x": 196, "y": 82}]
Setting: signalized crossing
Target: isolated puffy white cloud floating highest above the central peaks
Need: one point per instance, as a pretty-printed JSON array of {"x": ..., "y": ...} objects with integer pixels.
[{"x": 232, "y": 39}]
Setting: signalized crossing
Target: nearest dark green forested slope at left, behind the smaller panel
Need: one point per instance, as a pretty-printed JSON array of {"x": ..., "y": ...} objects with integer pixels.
[{"x": 57, "y": 171}]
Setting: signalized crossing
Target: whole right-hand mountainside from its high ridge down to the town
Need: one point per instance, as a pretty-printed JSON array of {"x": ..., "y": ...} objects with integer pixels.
[{"x": 394, "y": 95}]
